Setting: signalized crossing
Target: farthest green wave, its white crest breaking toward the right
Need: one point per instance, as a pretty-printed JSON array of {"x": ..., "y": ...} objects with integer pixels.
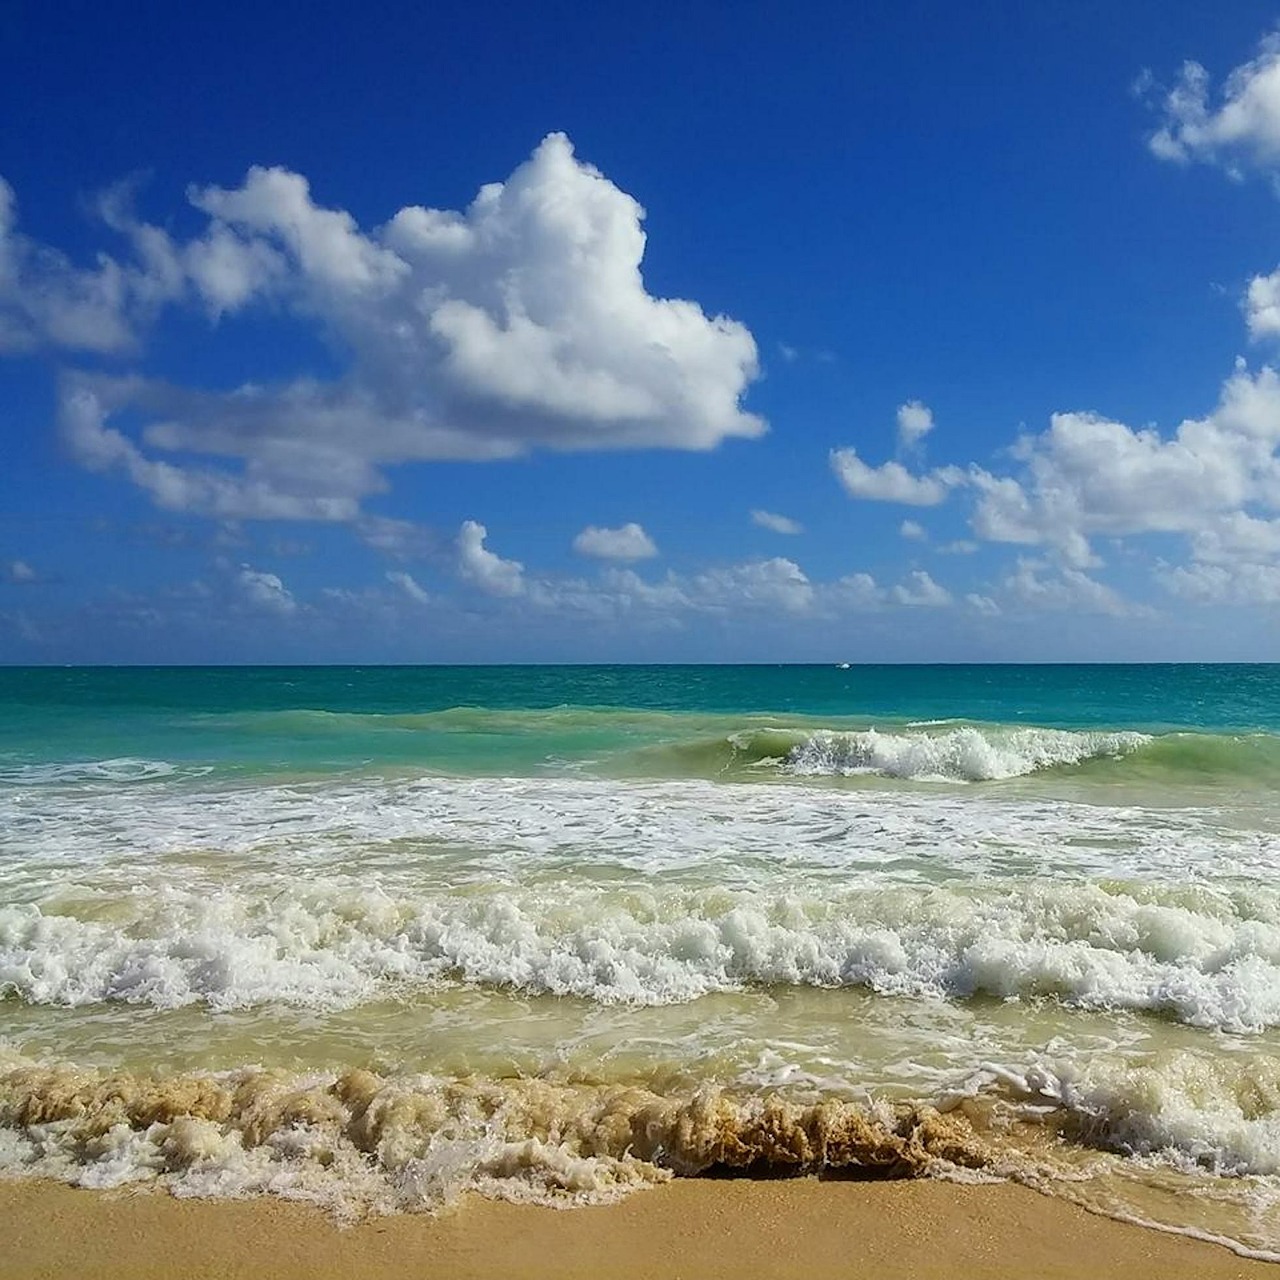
[{"x": 629, "y": 743}]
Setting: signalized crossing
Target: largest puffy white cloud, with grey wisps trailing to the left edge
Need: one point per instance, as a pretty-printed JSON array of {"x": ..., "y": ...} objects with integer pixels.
[{"x": 520, "y": 323}]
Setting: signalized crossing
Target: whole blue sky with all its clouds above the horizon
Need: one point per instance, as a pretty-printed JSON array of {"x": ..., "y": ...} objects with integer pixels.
[{"x": 668, "y": 333}]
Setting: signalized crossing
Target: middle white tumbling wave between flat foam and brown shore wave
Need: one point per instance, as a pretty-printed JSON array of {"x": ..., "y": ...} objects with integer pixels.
[{"x": 1206, "y": 958}]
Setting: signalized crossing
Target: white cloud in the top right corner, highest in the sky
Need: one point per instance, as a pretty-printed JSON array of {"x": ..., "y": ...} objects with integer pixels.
[{"x": 1241, "y": 131}]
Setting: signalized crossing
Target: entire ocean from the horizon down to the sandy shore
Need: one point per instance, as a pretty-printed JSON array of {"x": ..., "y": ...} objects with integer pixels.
[{"x": 376, "y": 938}]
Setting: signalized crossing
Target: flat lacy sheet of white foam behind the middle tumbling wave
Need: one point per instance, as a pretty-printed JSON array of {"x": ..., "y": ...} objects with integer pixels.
[{"x": 734, "y": 833}]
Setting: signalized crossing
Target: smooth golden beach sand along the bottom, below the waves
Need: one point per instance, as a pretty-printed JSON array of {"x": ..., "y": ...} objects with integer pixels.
[{"x": 705, "y": 1229}]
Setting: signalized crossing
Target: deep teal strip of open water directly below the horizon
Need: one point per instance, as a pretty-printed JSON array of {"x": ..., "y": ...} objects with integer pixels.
[{"x": 1208, "y": 697}]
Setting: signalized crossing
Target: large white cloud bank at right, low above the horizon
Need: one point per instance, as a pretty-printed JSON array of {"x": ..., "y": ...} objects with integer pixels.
[{"x": 1215, "y": 481}]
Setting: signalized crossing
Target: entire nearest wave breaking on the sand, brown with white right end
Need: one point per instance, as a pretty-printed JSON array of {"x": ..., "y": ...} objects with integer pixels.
[{"x": 1203, "y": 1137}]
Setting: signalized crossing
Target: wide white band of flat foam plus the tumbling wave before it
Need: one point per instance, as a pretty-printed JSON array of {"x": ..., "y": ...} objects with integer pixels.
[{"x": 327, "y": 897}]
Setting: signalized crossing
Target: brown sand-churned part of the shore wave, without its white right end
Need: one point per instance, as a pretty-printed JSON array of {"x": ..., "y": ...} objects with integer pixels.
[{"x": 360, "y": 1141}]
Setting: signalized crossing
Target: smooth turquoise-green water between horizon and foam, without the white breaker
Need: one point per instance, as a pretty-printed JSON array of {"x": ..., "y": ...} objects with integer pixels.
[{"x": 444, "y": 717}]
